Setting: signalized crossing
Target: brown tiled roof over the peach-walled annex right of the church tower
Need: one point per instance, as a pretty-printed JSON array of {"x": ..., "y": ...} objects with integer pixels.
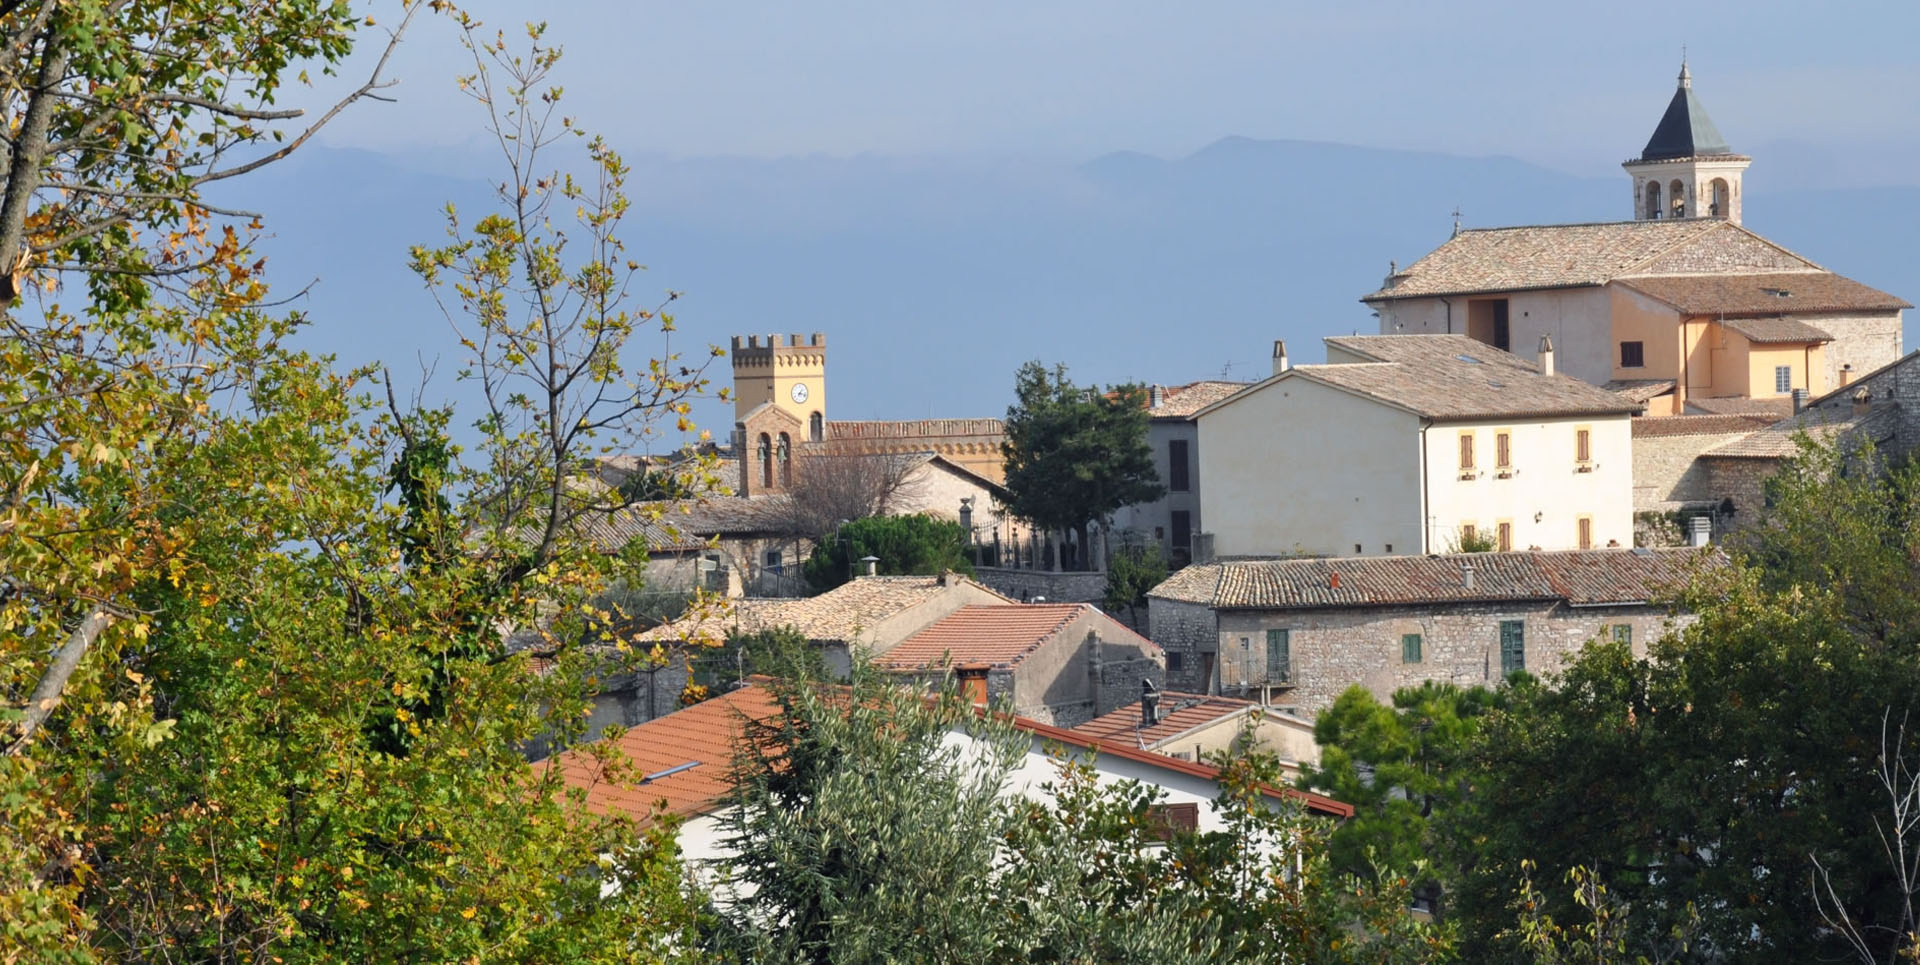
[{"x": 1764, "y": 293}]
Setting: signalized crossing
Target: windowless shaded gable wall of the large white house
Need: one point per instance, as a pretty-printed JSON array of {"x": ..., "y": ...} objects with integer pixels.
[{"x": 1301, "y": 467}]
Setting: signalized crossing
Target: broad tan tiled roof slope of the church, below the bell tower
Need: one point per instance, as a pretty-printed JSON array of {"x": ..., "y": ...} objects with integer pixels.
[{"x": 1543, "y": 256}]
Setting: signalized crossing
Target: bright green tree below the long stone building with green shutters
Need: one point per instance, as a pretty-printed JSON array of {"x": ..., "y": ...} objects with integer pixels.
[{"x": 1404, "y": 768}]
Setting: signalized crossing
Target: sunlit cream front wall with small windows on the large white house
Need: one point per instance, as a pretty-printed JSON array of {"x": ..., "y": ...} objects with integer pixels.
[{"x": 1543, "y": 494}]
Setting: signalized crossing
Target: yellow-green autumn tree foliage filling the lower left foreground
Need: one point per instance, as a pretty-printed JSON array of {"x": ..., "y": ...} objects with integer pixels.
[{"x": 291, "y": 728}]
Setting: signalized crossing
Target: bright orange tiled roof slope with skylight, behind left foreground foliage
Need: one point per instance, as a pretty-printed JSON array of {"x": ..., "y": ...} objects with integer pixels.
[{"x": 702, "y": 736}]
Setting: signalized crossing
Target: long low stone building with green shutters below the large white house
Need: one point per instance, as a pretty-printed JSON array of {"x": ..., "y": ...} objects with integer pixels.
[{"x": 1297, "y": 634}]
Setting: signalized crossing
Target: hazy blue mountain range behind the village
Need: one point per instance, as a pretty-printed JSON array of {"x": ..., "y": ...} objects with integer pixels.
[{"x": 938, "y": 277}]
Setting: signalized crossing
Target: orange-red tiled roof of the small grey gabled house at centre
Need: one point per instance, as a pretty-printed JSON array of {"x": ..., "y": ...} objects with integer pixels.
[{"x": 996, "y": 636}]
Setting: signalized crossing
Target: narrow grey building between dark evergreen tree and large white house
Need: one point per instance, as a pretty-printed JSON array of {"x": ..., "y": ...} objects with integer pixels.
[{"x": 1174, "y": 519}]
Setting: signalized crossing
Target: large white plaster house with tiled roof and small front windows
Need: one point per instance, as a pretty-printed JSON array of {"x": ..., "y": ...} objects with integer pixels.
[{"x": 1416, "y": 444}]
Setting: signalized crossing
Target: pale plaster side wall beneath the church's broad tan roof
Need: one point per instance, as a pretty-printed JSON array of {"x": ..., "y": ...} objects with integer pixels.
[{"x": 1579, "y": 319}]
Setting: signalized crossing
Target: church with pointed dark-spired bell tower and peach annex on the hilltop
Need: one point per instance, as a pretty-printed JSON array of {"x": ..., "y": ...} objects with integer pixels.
[{"x": 1673, "y": 308}]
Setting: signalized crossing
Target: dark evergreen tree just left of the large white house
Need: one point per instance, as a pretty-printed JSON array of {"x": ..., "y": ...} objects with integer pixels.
[{"x": 1074, "y": 456}]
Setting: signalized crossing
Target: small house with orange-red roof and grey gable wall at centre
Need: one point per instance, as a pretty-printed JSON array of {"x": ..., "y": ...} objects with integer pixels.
[{"x": 1055, "y": 663}]
